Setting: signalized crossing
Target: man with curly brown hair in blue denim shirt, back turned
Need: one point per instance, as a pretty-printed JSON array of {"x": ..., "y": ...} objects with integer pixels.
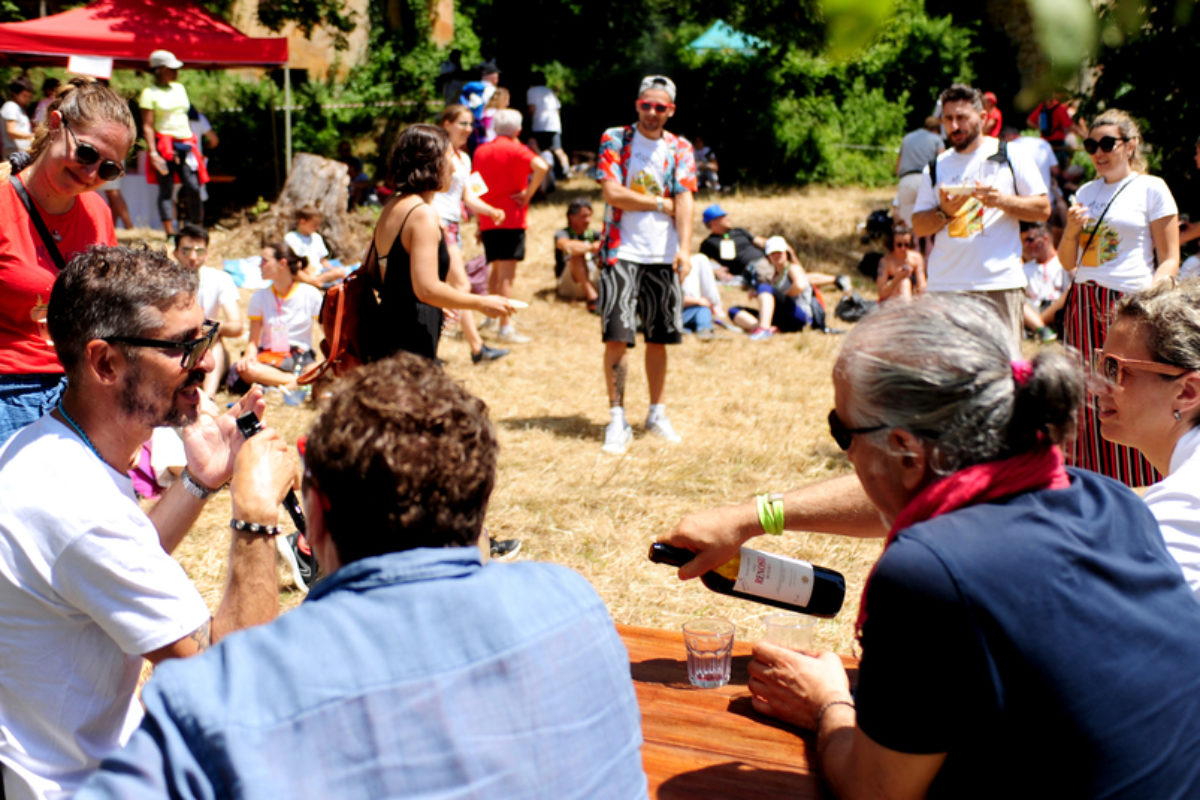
[{"x": 413, "y": 670}]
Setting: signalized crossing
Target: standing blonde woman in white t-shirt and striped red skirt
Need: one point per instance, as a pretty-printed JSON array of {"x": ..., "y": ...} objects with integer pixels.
[{"x": 1123, "y": 234}]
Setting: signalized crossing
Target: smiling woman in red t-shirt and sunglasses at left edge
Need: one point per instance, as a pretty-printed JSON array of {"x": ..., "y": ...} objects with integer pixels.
[{"x": 52, "y": 213}]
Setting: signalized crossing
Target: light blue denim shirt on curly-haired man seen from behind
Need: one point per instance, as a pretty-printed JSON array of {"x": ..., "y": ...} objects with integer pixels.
[{"x": 417, "y": 675}]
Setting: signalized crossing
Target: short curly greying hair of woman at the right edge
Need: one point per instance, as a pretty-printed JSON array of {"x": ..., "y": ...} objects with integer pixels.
[{"x": 1171, "y": 318}]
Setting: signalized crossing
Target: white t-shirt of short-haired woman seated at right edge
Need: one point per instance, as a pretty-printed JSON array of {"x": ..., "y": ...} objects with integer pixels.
[{"x": 1175, "y": 503}]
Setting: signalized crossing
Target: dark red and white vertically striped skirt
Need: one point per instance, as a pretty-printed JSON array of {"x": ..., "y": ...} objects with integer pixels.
[{"x": 1085, "y": 326}]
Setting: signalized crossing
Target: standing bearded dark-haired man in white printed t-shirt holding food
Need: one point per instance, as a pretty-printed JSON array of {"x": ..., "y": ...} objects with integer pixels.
[{"x": 982, "y": 197}]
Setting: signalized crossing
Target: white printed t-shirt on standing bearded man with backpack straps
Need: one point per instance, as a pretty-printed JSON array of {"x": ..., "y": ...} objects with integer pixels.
[{"x": 981, "y": 249}]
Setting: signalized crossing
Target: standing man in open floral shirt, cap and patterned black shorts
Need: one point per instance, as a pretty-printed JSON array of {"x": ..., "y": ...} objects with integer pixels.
[{"x": 649, "y": 177}]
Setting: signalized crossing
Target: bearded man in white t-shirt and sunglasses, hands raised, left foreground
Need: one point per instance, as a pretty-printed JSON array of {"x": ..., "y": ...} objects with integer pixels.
[{"x": 88, "y": 587}]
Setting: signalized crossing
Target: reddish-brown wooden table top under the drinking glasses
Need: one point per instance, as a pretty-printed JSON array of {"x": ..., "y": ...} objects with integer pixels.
[{"x": 711, "y": 743}]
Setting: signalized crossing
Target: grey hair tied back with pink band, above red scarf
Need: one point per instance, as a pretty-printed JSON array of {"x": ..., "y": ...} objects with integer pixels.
[{"x": 941, "y": 368}]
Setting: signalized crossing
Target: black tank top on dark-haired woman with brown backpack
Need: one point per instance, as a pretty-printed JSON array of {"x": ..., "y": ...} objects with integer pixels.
[{"x": 401, "y": 322}]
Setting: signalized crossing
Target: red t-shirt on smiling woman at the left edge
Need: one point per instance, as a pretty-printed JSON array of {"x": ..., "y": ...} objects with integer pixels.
[{"x": 28, "y": 273}]
